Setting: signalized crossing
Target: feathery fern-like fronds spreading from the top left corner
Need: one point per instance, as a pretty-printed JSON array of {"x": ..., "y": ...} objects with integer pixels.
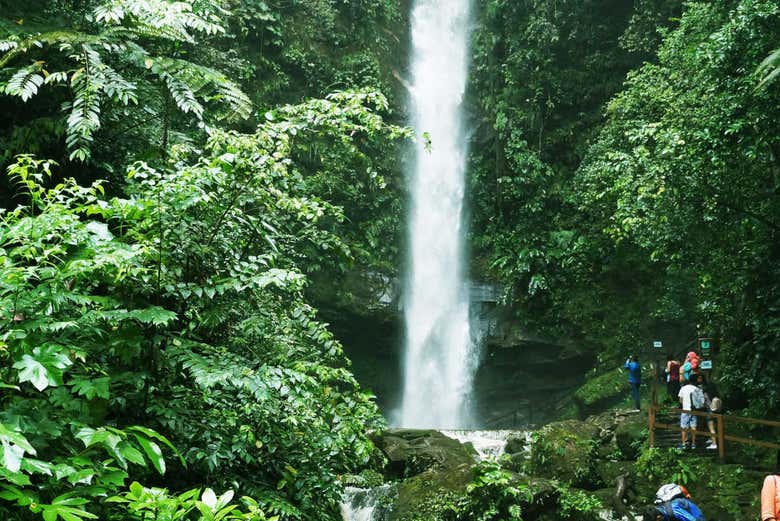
[{"x": 125, "y": 27}]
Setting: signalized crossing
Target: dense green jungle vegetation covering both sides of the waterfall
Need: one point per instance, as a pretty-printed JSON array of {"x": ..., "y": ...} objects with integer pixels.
[{"x": 183, "y": 177}]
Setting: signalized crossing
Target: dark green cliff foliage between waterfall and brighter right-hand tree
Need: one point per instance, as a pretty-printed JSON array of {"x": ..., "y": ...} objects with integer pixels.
[{"x": 542, "y": 73}]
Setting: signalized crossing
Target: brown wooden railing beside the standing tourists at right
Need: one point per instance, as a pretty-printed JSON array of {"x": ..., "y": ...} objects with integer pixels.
[{"x": 721, "y": 420}]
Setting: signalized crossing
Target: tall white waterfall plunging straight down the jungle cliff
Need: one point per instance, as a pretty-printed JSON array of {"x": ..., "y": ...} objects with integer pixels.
[{"x": 440, "y": 357}]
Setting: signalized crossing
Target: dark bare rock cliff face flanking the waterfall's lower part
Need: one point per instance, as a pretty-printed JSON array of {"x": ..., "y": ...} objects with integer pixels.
[{"x": 522, "y": 379}]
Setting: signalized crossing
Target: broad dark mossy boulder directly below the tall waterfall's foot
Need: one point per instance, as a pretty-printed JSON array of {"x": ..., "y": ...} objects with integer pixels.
[{"x": 410, "y": 452}]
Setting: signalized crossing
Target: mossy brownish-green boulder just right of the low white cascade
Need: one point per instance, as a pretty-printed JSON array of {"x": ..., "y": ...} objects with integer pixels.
[{"x": 565, "y": 451}]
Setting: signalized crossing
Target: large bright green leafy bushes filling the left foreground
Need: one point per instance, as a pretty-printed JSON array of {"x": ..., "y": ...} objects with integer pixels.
[{"x": 181, "y": 307}]
